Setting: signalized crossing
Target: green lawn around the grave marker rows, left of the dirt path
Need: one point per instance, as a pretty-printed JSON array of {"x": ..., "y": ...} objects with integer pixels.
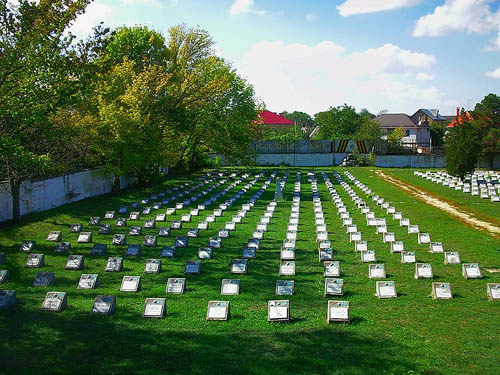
[{"x": 411, "y": 334}]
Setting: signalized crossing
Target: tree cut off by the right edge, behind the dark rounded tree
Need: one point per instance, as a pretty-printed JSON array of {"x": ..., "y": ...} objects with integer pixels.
[{"x": 486, "y": 117}]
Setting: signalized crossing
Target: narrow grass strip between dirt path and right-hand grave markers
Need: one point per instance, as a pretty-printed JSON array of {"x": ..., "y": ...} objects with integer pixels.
[{"x": 483, "y": 209}]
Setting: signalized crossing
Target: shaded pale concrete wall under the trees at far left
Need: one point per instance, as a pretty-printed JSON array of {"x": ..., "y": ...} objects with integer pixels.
[{"x": 46, "y": 194}]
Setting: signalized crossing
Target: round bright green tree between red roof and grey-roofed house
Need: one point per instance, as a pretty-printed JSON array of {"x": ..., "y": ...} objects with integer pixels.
[{"x": 339, "y": 122}]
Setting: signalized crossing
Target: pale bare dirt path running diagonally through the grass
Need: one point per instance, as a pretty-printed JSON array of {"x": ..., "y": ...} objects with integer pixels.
[{"x": 464, "y": 216}]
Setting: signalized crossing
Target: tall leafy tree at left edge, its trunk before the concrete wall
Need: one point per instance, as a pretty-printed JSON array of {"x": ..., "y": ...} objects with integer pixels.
[{"x": 38, "y": 75}]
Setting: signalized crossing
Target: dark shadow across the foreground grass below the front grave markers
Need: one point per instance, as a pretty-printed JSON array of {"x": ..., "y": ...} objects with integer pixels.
[{"x": 60, "y": 344}]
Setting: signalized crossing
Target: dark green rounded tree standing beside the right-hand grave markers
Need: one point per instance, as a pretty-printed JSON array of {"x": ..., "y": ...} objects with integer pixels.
[{"x": 463, "y": 146}]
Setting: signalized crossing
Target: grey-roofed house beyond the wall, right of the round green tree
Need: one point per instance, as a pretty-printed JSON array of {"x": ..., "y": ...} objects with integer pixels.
[{"x": 417, "y": 133}]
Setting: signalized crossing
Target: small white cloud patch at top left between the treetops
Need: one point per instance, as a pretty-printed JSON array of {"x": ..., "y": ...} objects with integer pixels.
[{"x": 95, "y": 13}]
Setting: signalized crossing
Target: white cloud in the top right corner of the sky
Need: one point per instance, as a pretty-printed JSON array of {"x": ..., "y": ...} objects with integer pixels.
[{"x": 471, "y": 16}]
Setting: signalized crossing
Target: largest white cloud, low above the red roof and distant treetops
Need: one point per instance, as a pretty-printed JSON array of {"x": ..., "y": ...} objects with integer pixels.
[{"x": 312, "y": 78}]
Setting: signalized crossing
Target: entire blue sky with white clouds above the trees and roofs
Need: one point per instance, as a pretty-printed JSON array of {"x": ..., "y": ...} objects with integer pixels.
[{"x": 395, "y": 55}]
